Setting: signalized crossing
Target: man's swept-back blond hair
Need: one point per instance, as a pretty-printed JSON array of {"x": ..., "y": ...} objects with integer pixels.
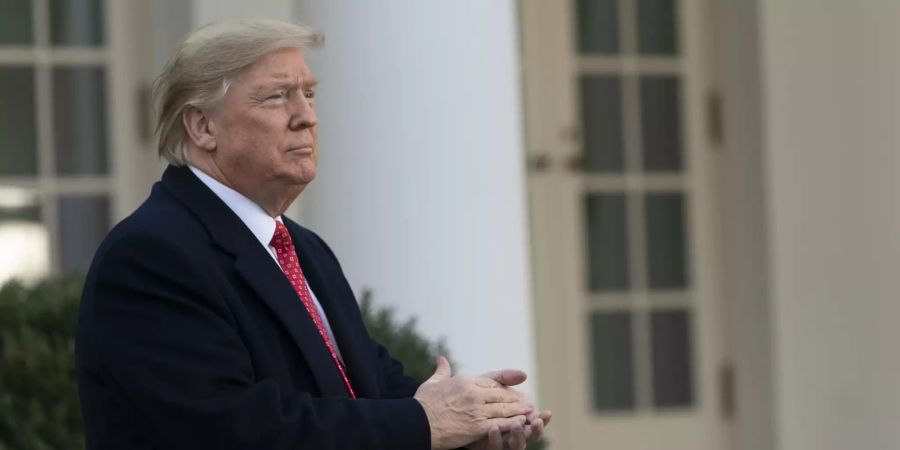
[{"x": 205, "y": 64}]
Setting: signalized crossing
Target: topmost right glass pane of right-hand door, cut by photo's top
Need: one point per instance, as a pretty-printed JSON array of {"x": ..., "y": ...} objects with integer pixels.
[{"x": 657, "y": 27}]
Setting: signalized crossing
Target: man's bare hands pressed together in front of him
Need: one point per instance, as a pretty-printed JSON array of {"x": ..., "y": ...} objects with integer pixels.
[{"x": 480, "y": 413}]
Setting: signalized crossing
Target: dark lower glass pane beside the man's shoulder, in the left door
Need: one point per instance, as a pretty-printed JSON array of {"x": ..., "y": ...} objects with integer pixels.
[{"x": 83, "y": 222}]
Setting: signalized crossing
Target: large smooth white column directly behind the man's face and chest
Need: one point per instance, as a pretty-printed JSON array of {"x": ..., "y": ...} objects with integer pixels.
[{"x": 421, "y": 189}]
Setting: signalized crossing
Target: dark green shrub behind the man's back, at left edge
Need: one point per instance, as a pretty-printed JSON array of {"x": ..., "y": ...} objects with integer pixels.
[{"x": 38, "y": 399}]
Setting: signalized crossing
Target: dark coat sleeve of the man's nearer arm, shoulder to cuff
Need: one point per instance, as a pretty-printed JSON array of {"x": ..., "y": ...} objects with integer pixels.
[{"x": 163, "y": 339}]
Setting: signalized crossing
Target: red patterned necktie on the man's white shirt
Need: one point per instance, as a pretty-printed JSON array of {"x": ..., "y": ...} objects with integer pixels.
[{"x": 290, "y": 265}]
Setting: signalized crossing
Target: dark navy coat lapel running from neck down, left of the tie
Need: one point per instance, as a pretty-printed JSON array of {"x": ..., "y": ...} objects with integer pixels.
[{"x": 259, "y": 270}]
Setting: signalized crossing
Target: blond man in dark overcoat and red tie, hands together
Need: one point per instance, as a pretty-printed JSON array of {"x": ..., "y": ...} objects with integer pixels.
[{"x": 208, "y": 320}]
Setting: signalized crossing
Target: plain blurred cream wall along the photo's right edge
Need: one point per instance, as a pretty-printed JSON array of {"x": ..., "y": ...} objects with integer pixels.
[{"x": 831, "y": 95}]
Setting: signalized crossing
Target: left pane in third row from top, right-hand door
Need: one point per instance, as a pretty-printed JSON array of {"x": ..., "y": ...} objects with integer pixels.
[{"x": 607, "y": 240}]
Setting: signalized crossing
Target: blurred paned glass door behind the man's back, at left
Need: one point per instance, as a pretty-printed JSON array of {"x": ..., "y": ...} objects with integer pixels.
[{"x": 70, "y": 77}]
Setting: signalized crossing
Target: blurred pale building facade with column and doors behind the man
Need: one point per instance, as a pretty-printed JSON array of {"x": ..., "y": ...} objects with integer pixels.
[{"x": 680, "y": 216}]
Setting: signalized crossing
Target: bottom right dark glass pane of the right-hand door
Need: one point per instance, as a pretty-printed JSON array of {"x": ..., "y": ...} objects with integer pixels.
[{"x": 672, "y": 359}]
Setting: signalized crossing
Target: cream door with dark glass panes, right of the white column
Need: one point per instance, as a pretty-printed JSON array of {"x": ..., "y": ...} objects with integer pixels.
[{"x": 623, "y": 222}]
